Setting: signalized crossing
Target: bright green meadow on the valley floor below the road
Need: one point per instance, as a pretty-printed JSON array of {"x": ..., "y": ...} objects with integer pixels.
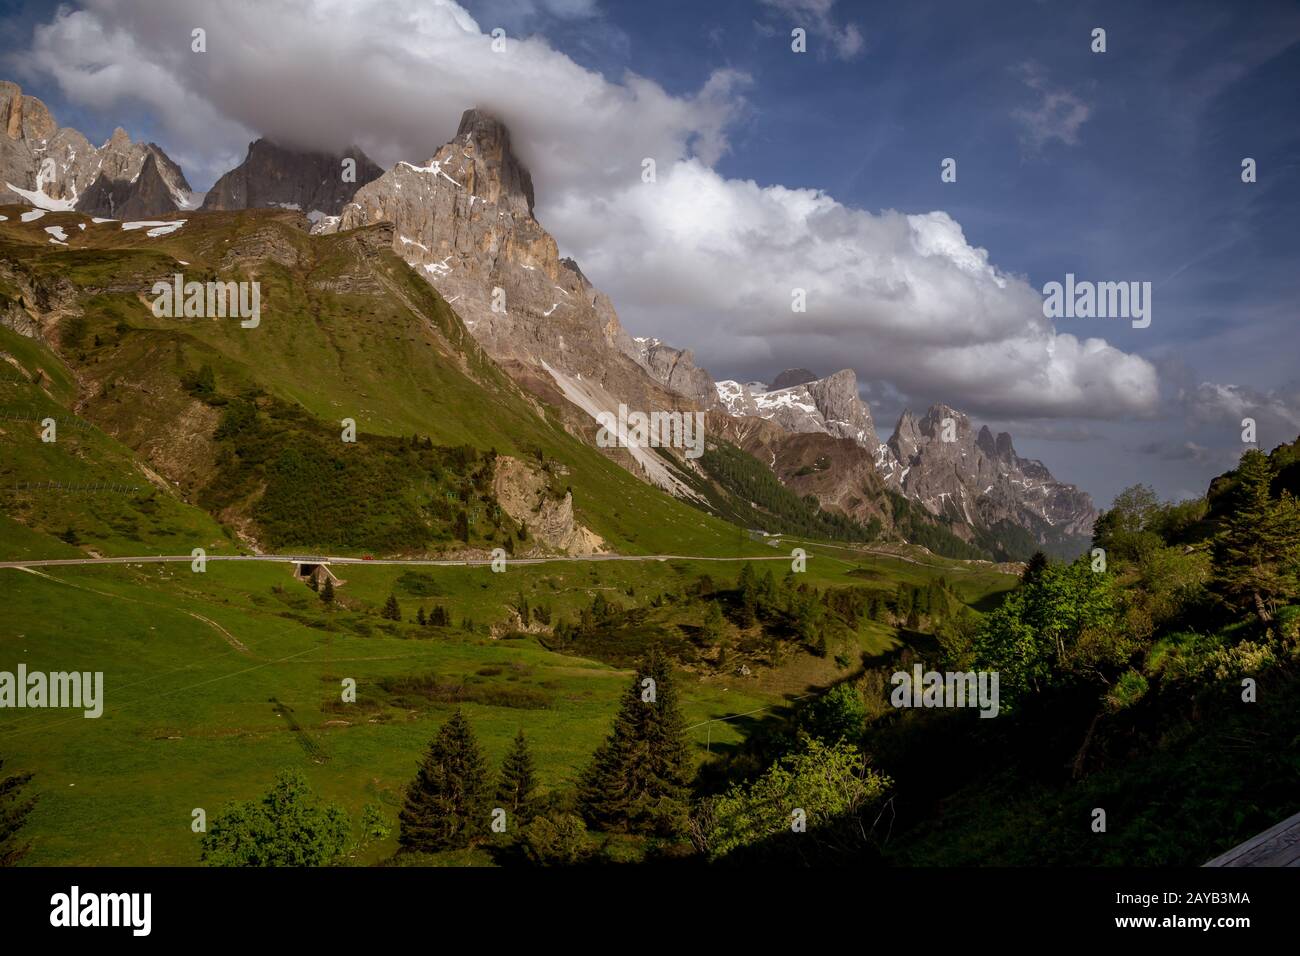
[{"x": 190, "y": 721}]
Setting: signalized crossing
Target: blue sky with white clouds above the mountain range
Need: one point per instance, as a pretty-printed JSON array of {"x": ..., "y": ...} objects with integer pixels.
[{"x": 1115, "y": 167}]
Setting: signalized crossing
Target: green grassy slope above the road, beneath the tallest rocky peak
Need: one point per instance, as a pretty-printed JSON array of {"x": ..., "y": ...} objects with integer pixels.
[{"x": 348, "y": 331}]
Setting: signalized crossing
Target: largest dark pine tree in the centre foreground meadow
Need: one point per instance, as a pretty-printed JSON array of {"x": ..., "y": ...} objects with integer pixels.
[{"x": 639, "y": 778}]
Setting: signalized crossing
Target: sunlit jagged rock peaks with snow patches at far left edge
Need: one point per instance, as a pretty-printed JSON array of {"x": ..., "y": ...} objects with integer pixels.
[{"x": 58, "y": 168}]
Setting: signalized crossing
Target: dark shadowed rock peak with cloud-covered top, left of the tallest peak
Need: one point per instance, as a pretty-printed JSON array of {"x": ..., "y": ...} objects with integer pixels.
[{"x": 292, "y": 180}]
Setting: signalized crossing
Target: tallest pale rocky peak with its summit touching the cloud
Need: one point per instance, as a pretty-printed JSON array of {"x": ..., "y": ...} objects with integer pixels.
[{"x": 465, "y": 222}]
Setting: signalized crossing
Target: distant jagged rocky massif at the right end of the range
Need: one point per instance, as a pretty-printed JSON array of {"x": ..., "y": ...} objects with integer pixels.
[{"x": 977, "y": 479}]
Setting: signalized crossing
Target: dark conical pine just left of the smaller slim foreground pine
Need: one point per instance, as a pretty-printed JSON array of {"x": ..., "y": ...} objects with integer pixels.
[{"x": 447, "y": 804}]
